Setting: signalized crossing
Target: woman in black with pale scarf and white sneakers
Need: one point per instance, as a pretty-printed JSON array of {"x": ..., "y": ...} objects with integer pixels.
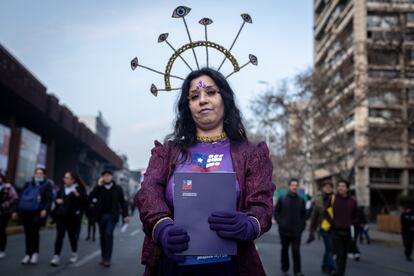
[{"x": 70, "y": 203}]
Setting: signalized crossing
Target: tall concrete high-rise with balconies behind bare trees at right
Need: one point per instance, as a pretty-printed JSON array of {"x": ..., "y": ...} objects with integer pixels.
[{"x": 365, "y": 51}]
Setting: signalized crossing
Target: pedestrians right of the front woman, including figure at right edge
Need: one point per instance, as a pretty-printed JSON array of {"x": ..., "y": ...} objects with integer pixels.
[{"x": 334, "y": 218}]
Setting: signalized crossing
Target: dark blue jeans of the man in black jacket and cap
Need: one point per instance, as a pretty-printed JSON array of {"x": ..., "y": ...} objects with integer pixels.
[{"x": 106, "y": 230}]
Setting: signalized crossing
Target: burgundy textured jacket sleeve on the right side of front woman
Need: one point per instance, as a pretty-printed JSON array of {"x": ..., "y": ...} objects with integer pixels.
[{"x": 259, "y": 186}]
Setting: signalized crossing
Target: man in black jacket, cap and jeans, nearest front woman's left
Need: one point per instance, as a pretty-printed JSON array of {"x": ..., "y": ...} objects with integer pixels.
[{"x": 110, "y": 200}]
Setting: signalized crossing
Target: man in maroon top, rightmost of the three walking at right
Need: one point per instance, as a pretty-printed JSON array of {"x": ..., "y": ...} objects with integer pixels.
[{"x": 344, "y": 216}]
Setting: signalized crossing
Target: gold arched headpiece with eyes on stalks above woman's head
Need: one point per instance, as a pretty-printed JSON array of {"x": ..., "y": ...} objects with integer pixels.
[{"x": 182, "y": 12}]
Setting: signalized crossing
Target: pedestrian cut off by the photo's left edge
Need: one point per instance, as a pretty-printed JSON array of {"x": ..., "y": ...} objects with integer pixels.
[{"x": 8, "y": 200}]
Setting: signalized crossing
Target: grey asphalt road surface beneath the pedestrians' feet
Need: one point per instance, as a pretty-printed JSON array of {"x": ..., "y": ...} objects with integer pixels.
[{"x": 377, "y": 259}]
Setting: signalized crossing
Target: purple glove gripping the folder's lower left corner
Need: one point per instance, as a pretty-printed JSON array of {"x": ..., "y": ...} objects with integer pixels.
[{"x": 173, "y": 239}]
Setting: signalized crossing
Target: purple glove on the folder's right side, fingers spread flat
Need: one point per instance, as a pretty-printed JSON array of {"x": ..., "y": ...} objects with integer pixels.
[{"x": 234, "y": 225}]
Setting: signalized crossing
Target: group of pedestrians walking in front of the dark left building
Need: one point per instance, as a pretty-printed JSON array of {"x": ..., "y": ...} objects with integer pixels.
[{"x": 65, "y": 205}]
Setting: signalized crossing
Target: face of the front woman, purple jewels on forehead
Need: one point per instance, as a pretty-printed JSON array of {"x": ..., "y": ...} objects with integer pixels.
[{"x": 206, "y": 104}]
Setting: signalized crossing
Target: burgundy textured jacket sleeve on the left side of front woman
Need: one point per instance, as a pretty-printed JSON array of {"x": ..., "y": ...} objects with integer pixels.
[{"x": 150, "y": 198}]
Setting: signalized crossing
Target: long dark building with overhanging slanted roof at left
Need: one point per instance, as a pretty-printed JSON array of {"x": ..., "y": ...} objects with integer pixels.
[{"x": 38, "y": 131}]
